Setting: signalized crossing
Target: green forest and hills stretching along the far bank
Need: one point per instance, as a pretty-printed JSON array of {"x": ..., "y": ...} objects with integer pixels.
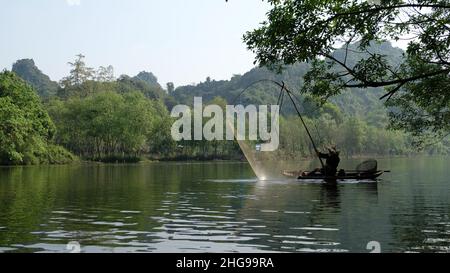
[{"x": 92, "y": 115}]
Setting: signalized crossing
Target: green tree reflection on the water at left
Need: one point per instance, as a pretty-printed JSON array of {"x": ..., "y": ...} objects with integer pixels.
[{"x": 84, "y": 194}]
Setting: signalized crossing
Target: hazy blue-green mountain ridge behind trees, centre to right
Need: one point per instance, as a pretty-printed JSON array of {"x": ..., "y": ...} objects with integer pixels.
[{"x": 355, "y": 102}]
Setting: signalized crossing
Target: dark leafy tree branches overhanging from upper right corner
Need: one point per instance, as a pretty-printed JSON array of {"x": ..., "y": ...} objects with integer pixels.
[{"x": 418, "y": 86}]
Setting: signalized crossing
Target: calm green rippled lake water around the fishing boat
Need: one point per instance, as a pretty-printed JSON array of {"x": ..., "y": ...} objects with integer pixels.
[{"x": 221, "y": 207}]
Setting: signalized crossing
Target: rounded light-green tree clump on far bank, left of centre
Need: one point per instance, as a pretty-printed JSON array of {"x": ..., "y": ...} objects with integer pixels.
[{"x": 110, "y": 125}]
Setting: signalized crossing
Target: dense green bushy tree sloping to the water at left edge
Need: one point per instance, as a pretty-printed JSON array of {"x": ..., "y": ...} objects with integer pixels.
[{"x": 26, "y": 130}]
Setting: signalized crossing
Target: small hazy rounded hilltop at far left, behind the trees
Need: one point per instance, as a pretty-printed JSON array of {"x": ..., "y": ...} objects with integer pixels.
[{"x": 29, "y": 72}]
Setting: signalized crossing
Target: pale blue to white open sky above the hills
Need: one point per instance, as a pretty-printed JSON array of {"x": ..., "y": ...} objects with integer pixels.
[{"x": 183, "y": 41}]
